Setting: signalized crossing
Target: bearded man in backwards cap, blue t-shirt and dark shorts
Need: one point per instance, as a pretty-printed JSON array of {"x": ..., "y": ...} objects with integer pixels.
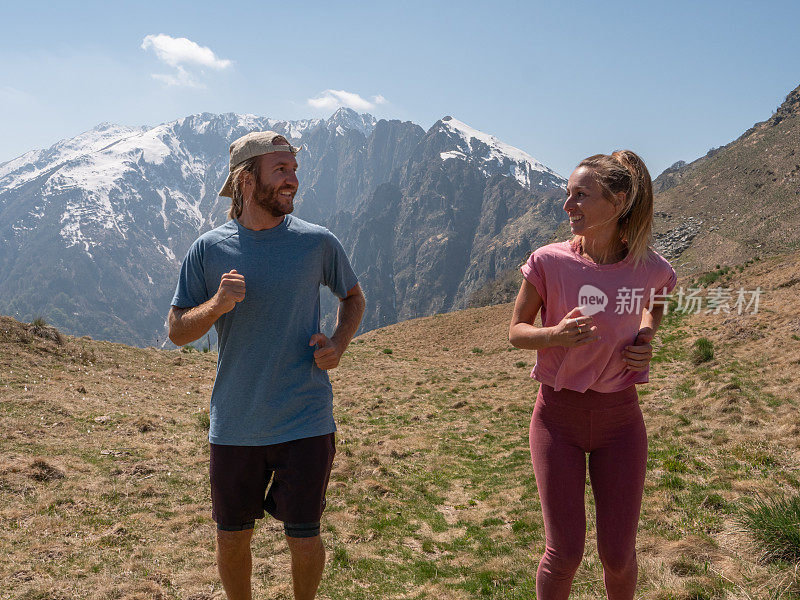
[{"x": 256, "y": 279}]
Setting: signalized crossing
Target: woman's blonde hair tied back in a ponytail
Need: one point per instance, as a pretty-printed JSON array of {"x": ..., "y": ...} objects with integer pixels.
[{"x": 625, "y": 171}]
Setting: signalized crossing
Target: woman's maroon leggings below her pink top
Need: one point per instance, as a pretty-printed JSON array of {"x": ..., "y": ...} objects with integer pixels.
[{"x": 566, "y": 425}]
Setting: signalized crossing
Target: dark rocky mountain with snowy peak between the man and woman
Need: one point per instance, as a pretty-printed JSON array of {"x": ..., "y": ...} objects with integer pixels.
[{"x": 453, "y": 217}]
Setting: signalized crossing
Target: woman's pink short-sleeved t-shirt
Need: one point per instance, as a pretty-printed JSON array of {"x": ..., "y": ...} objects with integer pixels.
[{"x": 615, "y": 295}]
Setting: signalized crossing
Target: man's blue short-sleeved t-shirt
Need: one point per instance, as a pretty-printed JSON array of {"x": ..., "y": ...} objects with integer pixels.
[{"x": 268, "y": 388}]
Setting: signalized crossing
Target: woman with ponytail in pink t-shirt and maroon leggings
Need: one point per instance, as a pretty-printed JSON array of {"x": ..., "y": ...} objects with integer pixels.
[{"x": 601, "y": 297}]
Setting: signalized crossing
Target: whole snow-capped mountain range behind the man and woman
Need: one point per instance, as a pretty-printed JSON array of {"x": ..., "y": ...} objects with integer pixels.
[{"x": 93, "y": 229}]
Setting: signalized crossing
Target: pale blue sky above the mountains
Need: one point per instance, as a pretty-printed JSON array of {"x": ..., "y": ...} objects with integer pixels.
[{"x": 560, "y": 80}]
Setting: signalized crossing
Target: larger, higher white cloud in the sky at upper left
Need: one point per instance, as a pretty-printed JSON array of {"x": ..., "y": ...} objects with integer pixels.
[{"x": 182, "y": 53}]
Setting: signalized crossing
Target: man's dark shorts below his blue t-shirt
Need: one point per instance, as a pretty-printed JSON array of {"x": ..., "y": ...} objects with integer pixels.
[{"x": 299, "y": 470}]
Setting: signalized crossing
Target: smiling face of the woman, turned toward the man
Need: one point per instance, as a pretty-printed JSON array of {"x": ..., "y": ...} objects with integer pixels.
[{"x": 590, "y": 213}]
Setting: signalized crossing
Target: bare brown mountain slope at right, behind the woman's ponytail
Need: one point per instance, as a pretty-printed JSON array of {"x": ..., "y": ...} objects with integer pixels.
[{"x": 738, "y": 201}]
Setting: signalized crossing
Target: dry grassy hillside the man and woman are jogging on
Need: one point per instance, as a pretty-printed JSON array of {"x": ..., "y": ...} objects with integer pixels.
[{"x": 104, "y": 485}]
